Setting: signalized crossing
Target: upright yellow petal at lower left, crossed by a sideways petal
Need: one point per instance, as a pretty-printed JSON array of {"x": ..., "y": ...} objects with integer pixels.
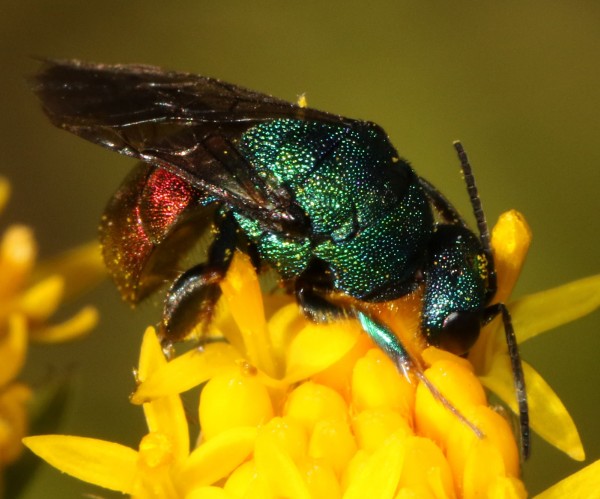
[{"x": 164, "y": 415}]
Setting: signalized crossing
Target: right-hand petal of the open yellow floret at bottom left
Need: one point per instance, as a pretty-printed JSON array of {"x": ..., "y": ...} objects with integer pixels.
[{"x": 218, "y": 457}]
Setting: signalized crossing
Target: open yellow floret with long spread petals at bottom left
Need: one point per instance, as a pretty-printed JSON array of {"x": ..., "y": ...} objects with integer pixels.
[{"x": 163, "y": 466}]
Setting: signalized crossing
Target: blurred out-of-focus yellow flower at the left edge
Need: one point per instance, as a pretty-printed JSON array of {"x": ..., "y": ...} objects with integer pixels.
[{"x": 29, "y": 295}]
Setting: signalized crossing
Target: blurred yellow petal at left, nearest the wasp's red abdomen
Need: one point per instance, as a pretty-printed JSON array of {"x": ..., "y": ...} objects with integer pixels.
[{"x": 81, "y": 268}]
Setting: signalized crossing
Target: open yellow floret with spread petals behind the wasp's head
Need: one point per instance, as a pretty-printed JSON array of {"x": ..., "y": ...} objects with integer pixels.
[{"x": 531, "y": 316}]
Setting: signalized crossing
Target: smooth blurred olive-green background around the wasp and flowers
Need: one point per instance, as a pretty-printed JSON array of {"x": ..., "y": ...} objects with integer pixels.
[{"x": 517, "y": 82}]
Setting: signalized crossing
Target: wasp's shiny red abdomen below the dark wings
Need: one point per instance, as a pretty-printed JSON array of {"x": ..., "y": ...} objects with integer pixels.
[{"x": 152, "y": 220}]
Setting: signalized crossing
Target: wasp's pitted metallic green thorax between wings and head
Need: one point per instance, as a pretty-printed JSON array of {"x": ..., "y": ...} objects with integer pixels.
[{"x": 369, "y": 217}]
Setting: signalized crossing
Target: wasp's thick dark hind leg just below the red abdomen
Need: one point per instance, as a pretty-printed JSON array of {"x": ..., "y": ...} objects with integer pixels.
[{"x": 193, "y": 296}]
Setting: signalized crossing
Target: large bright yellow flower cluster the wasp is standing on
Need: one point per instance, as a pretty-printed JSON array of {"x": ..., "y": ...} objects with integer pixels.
[{"x": 294, "y": 409}]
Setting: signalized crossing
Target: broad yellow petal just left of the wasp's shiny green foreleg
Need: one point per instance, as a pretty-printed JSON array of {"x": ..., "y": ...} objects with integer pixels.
[{"x": 318, "y": 346}]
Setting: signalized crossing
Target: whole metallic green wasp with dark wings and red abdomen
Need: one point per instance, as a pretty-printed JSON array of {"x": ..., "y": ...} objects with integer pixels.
[{"x": 323, "y": 200}]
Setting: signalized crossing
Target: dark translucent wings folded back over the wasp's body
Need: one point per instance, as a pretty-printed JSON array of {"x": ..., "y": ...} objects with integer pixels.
[{"x": 182, "y": 122}]
